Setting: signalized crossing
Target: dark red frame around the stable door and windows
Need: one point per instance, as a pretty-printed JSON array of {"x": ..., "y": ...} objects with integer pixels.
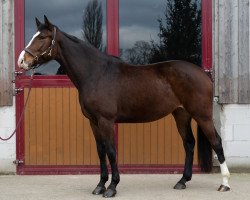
[{"x": 59, "y": 81}]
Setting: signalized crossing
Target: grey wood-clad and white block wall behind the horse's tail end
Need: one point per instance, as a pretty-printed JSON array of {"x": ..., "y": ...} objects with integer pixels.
[{"x": 232, "y": 78}]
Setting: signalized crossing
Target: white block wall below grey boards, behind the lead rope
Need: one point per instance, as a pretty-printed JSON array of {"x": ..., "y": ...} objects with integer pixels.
[{"x": 7, "y": 148}]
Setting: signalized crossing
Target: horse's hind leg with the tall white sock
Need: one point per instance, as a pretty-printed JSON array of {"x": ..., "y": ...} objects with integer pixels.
[{"x": 215, "y": 140}]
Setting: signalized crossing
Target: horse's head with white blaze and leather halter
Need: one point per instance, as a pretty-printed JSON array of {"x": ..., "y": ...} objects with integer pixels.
[{"x": 41, "y": 48}]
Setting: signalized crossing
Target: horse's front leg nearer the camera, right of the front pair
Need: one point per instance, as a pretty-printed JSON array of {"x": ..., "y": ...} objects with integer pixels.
[{"x": 107, "y": 128}]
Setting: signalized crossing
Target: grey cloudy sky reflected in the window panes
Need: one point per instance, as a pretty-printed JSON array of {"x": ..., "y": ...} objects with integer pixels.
[{"x": 138, "y": 18}]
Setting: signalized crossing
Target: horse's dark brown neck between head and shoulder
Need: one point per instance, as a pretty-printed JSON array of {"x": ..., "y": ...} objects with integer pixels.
[{"x": 78, "y": 60}]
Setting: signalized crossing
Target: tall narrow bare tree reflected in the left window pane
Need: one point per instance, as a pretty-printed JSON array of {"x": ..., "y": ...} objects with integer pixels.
[{"x": 92, "y": 23}]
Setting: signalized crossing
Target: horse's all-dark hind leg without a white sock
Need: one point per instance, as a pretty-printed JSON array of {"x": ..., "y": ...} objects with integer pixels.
[{"x": 183, "y": 122}]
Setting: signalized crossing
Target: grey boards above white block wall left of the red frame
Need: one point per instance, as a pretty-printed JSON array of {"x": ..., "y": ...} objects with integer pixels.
[{"x": 7, "y": 113}]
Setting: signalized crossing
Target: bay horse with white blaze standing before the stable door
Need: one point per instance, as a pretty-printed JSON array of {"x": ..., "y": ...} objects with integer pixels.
[{"x": 112, "y": 91}]
